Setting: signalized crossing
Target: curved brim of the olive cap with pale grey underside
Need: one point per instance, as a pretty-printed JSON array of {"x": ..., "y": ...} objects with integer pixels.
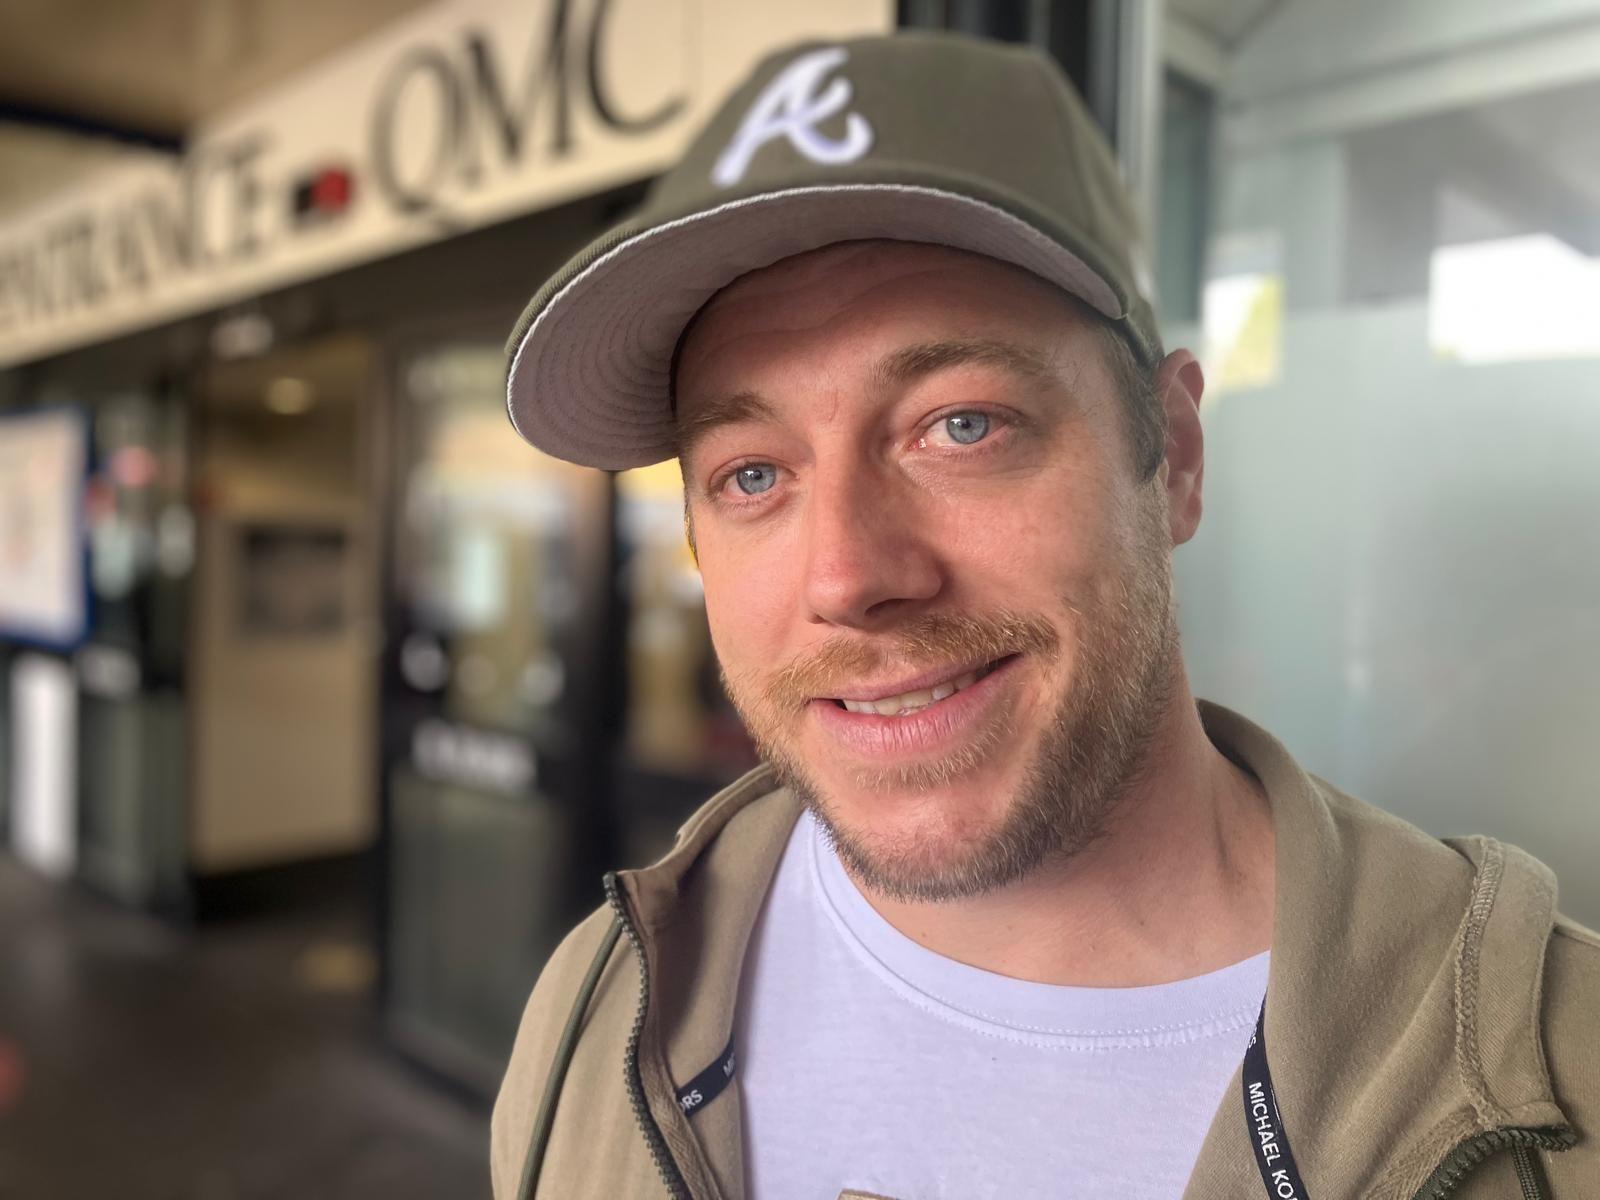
[{"x": 590, "y": 377}]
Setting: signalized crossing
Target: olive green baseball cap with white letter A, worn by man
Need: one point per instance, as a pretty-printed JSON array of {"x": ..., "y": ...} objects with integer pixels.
[{"x": 922, "y": 137}]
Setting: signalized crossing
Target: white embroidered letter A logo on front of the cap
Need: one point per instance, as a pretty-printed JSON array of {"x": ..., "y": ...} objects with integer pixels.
[{"x": 793, "y": 106}]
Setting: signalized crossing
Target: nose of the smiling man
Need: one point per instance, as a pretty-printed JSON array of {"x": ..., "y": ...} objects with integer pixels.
[{"x": 870, "y": 556}]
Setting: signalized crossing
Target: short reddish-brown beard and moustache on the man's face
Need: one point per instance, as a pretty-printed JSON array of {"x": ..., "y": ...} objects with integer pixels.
[{"x": 1089, "y": 754}]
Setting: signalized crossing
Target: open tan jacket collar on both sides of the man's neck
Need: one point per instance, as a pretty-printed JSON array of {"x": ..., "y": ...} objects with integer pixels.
[{"x": 1402, "y": 1009}]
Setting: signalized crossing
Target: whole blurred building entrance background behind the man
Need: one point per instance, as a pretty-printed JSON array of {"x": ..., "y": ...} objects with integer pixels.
[{"x": 316, "y": 682}]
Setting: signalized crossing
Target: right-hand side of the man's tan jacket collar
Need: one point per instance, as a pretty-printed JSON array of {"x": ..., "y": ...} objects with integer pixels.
[{"x": 1402, "y": 1010}]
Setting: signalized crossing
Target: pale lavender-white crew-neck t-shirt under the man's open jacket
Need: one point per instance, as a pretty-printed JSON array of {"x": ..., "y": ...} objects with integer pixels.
[{"x": 871, "y": 1063}]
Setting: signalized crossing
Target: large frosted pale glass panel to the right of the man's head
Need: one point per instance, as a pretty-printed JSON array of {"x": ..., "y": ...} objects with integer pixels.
[{"x": 1398, "y": 567}]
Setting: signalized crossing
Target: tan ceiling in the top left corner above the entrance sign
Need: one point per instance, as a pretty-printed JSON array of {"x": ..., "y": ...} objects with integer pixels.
[{"x": 84, "y": 79}]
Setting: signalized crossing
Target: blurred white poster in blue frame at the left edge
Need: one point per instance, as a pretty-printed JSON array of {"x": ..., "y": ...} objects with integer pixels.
[{"x": 44, "y": 468}]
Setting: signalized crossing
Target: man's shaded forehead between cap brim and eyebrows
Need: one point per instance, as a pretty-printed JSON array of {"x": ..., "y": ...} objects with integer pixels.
[{"x": 863, "y": 300}]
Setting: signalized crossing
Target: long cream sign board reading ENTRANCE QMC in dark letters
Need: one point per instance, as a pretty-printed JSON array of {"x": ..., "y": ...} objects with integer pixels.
[{"x": 462, "y": 114}]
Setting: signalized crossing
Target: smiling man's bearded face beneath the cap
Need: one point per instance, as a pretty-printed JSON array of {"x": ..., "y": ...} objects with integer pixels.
[{"x": 938, "y": 591}]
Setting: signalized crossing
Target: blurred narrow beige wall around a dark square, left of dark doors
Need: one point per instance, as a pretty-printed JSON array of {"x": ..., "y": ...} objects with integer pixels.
[{"x": 284, "y": 724}]
